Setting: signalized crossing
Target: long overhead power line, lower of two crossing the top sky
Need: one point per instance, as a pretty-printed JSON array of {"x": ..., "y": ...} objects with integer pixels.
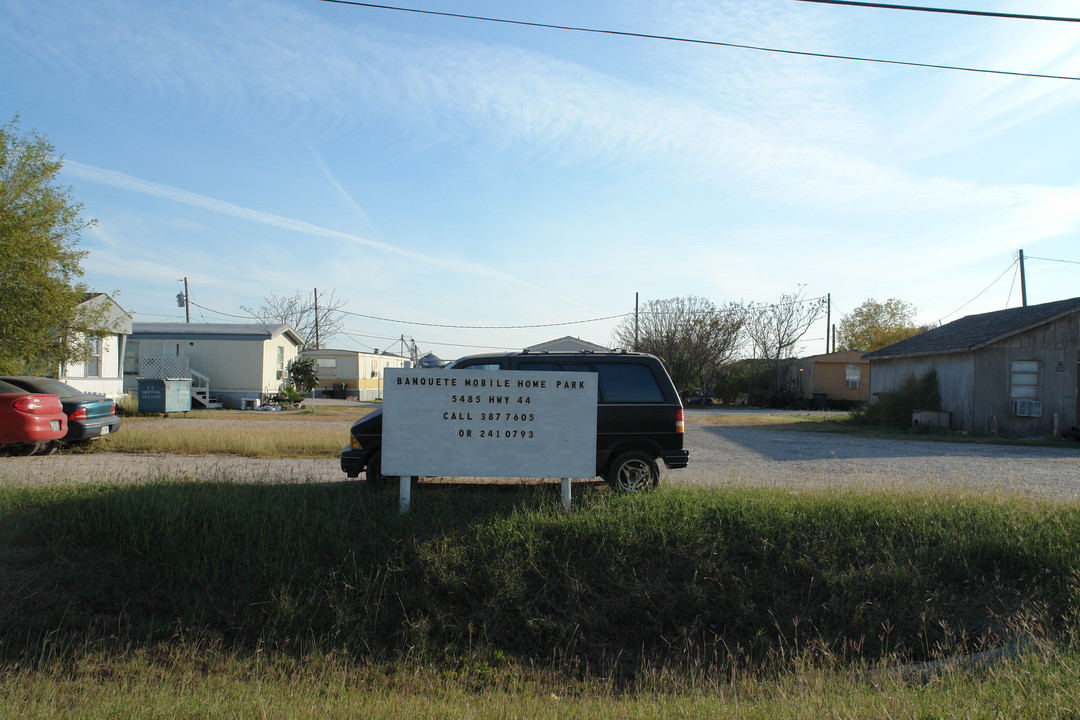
[{"x": 698, "y": 42}]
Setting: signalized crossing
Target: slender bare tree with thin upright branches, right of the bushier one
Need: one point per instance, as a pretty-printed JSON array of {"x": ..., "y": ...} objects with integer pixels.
[{"x": 775, "y": 330}]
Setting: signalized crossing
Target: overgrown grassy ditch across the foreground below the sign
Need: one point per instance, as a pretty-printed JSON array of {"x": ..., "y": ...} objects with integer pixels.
[{"x": 219, "y": 601}]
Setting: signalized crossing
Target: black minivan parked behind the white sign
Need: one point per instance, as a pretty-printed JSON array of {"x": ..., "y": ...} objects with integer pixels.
[{"x": 639, "y": 418}]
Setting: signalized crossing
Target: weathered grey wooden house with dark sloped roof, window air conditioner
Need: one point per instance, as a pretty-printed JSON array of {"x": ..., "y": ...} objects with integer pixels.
[{"x": 1014, "y": 372}]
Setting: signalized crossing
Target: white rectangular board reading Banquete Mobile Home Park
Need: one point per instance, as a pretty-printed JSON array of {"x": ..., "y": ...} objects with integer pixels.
[{"x": 489, "y": 424}]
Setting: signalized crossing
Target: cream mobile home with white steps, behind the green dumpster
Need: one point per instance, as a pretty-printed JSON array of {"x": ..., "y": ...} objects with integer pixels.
[{"x": 229, "y": 364}]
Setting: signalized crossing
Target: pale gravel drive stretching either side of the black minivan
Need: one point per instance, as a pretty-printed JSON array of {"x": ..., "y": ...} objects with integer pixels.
[{"x": 719, "y": 457}]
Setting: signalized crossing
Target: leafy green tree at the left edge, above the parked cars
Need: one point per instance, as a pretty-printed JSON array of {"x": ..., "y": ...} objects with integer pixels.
[{"x": 40, "y": 323}]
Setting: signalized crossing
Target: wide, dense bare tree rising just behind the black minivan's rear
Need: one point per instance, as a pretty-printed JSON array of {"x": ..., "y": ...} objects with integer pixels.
[{"x": 693, "y": 336}]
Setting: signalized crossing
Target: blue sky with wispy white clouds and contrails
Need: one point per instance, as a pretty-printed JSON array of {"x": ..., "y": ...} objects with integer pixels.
[{"x": 443, "y": 172}]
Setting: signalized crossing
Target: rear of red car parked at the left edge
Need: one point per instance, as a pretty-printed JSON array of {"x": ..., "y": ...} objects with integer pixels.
[{"x": 30, "y": 423}]
